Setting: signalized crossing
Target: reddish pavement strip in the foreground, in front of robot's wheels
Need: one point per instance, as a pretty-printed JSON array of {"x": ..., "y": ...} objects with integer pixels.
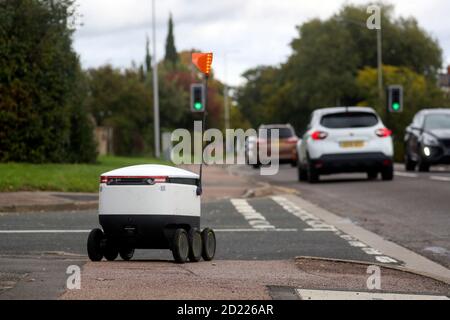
[{"x": 236, "y": 280}]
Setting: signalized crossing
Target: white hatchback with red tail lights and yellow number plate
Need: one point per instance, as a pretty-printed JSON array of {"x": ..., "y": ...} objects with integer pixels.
[{"x": 345, "y": 139}]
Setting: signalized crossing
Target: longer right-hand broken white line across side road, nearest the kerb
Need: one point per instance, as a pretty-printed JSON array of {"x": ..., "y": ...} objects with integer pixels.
[{"x": 317, "y": 224}]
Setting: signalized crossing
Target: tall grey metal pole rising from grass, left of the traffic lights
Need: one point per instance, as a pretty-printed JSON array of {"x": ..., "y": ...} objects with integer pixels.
[{"x": 155, "y": 89}]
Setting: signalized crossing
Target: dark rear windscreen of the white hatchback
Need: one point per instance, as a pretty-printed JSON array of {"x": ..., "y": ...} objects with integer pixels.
[{"x": 349, "y": 120}]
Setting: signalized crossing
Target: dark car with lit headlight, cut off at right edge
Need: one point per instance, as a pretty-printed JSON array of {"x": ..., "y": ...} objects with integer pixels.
[{"x": 427, "y": 140}]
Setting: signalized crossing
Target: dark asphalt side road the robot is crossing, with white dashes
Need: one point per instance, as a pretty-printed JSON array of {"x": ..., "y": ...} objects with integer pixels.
[{"x": 37, "y": 248}]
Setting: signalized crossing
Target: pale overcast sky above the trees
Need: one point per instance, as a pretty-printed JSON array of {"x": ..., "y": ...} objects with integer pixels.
[{"x": 247, "y": 32}]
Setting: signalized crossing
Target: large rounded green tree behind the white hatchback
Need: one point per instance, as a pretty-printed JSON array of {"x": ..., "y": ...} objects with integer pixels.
[{"x": 323, "y": 67}]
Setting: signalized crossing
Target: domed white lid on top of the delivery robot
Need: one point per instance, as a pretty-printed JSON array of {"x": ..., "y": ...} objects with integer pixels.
[{"x": 151, "y": 170}]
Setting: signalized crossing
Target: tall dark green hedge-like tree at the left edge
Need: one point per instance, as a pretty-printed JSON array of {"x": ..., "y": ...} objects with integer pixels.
[{"x": 39, "y": 73}]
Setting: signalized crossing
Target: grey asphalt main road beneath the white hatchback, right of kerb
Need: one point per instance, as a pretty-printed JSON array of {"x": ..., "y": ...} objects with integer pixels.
[{"x": 413, "y": 210}]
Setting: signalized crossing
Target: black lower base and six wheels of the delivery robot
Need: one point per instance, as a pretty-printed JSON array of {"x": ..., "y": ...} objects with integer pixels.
[{"x": 124, "y": 233}]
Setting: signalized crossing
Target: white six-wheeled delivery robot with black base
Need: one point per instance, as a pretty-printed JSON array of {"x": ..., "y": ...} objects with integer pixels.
[{"x": 150, "y": 207}]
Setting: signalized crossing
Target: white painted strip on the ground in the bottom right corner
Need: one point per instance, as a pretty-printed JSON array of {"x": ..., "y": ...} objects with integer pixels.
[{"x": 354, "y": 295}]
